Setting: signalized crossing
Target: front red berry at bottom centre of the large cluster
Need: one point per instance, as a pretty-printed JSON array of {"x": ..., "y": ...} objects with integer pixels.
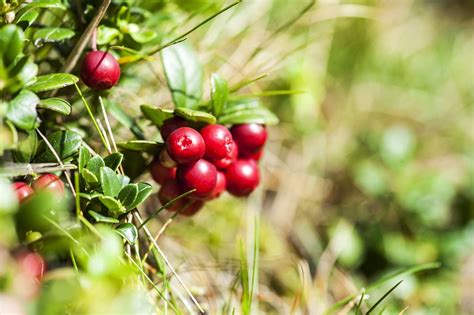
[{"x": 201, "y": 175}]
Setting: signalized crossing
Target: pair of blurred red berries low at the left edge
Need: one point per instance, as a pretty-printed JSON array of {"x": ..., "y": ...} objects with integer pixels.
[{"x": 48, "y": 182}]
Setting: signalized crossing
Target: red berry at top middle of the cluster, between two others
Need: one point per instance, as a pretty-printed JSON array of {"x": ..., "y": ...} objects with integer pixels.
[{"x": 218, "y": 140}]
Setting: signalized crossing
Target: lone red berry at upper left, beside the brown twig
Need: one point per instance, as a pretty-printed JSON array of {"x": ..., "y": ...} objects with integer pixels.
[{"x": 100, "y": 70}]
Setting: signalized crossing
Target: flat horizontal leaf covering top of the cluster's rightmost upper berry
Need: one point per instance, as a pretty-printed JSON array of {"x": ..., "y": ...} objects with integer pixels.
[{"x": 259, "y": 115}]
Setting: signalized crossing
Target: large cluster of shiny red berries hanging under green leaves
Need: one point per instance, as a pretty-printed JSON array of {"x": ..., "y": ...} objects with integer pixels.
[{"x": 207, "y": 161}]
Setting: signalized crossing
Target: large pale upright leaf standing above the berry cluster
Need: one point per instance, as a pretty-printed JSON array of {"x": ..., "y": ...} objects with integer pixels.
[{"x": 183, "y": 74}]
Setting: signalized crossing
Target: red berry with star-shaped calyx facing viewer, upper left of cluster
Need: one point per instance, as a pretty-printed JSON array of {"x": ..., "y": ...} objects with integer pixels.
[{"x": 185, "y": 145}]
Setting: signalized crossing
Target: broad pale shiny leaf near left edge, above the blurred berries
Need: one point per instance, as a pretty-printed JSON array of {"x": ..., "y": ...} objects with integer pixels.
[{"x": 22, "y": 110}]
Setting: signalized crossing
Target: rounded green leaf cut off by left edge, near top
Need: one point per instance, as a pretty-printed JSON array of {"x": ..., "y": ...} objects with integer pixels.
[{"x": 11, "y": 43}]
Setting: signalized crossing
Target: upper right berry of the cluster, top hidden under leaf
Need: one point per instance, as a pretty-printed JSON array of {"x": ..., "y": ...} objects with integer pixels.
[{"x": 249, "y": 137}]
